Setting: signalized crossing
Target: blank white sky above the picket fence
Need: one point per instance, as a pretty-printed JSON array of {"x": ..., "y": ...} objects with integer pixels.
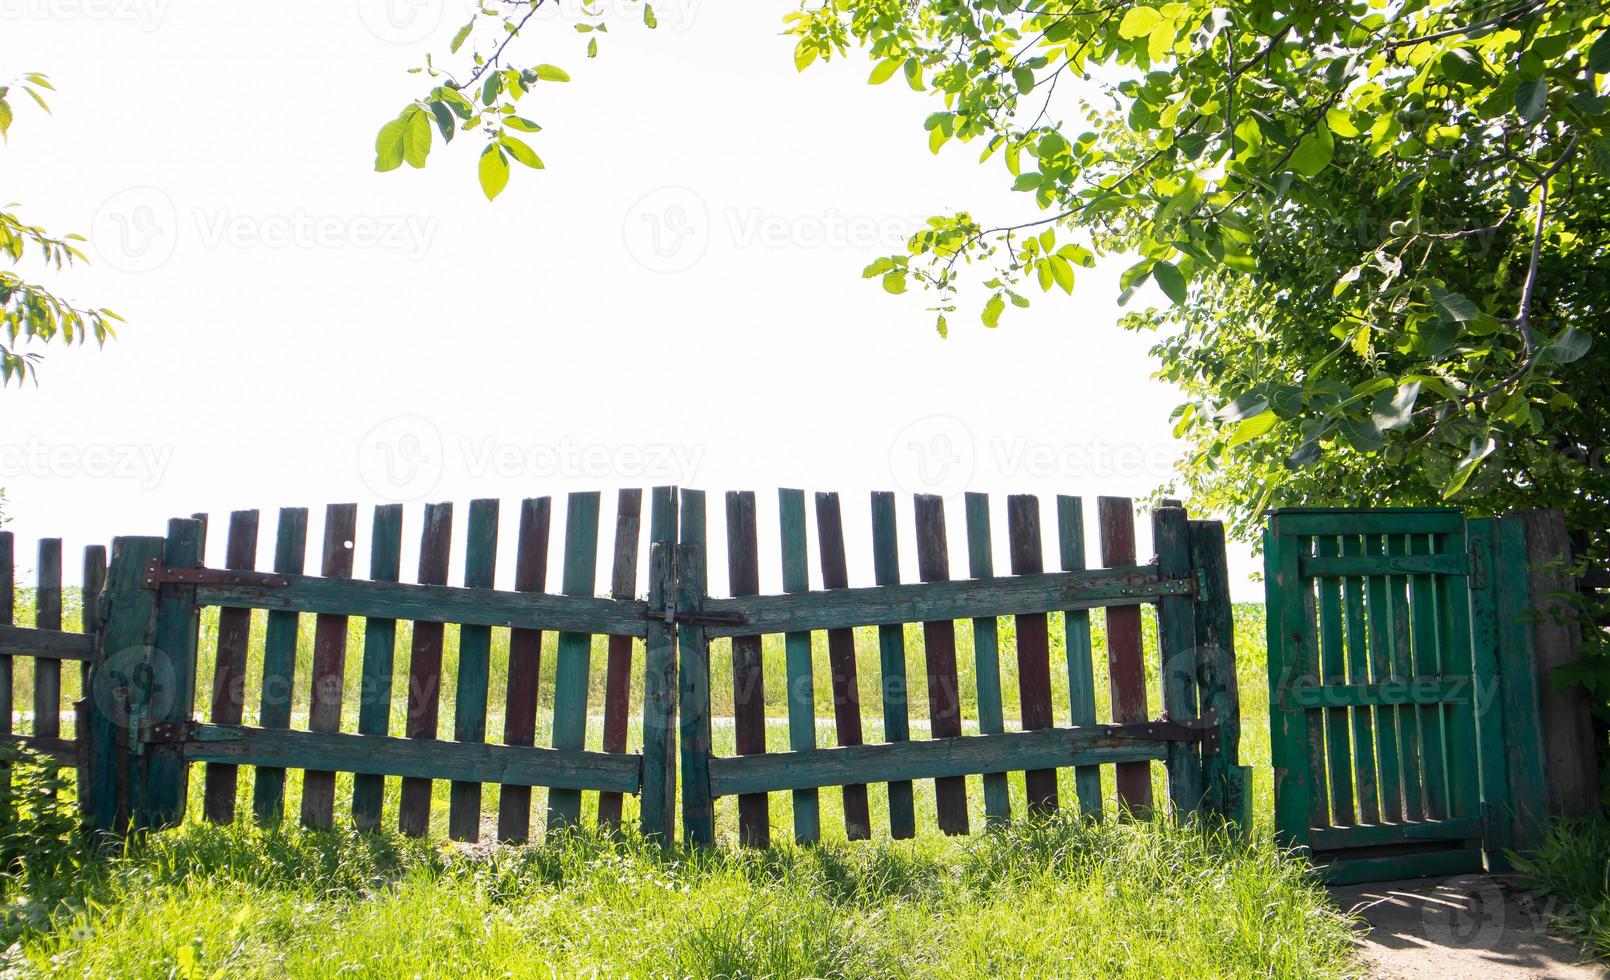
[{"x": 675, "y": 300}]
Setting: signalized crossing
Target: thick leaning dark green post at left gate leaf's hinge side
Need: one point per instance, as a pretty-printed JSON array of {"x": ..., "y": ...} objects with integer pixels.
[{"x": 128, "y": 611}]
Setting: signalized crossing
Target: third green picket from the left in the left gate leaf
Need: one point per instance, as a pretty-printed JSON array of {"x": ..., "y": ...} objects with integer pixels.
[{"x": 476, "y": 657}]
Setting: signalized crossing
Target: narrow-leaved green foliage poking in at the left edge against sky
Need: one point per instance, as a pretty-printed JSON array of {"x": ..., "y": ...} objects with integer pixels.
[{"x": 30, "y": 311}]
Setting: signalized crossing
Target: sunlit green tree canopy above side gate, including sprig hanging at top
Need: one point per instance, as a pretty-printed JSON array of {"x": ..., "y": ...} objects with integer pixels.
[{"x": 1381, "y": 224}]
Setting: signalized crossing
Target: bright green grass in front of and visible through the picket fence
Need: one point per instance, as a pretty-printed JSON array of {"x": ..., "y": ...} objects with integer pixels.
[{"x": 1038, "y": 899}]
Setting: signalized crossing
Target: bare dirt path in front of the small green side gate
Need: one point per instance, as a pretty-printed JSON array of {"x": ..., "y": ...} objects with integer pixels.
[{"x": 1469, "y": 926}]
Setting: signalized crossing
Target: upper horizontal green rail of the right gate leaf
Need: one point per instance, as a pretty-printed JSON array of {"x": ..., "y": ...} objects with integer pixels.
[{"x": 965, "y": 599}]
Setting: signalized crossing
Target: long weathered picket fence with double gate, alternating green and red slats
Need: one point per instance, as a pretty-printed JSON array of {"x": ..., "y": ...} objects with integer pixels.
[{"x": 260, "y": 691}]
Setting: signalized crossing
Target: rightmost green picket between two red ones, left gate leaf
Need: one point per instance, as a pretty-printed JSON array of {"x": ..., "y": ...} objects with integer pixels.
[{"x": 574, "y": 656}]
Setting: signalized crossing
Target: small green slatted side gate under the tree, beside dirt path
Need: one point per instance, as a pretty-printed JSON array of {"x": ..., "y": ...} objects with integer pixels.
[{"x": 1403, "y": 696}]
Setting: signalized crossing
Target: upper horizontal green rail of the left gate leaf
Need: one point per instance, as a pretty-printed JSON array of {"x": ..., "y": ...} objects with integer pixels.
[{"x": 444, "y": 604}]
